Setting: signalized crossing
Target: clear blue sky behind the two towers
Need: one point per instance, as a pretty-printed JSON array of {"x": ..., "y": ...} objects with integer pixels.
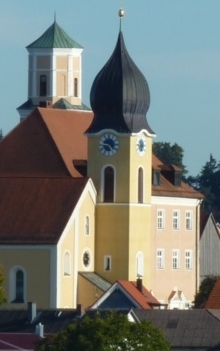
[{"x": 175, "y": 43}]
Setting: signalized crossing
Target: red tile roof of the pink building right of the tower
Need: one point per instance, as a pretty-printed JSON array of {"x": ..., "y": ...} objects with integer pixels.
[{"x": 166, "y": 188}]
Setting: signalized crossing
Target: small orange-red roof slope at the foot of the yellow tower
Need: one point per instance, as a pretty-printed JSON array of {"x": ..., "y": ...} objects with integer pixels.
[{"x": 144, "y": 298}]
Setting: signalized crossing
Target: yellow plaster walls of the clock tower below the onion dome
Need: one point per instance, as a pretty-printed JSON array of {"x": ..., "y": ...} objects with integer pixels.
[{"x": 123, "y": 227}]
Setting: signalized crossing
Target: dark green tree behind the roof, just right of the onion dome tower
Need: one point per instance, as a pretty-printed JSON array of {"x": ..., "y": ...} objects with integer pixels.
[{"x": 170, "y": 154}]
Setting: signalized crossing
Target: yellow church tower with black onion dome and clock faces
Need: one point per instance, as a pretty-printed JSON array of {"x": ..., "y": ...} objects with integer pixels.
[{"x": 119, "y": 162}]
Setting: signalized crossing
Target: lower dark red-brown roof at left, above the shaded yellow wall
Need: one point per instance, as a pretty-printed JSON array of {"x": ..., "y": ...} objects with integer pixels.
[{"x": 34, "y": 199}]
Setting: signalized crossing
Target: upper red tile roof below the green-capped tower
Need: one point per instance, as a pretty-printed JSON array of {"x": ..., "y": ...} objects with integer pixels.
[{"x": 45, "y": 144}]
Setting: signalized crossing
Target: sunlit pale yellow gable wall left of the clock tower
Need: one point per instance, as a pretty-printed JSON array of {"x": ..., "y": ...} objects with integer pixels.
[{"x": 76, "y": 242}]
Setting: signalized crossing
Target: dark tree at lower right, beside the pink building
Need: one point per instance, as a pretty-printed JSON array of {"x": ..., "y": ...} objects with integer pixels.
[{"x": 204, "y": 291}]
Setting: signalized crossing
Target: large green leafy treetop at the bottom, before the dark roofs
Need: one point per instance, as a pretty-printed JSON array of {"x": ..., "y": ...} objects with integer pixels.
[{"x": 113, "y": 332}]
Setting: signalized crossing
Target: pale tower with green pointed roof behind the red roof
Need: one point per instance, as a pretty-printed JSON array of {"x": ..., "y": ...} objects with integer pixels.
[{"x": 54, "y": 72}]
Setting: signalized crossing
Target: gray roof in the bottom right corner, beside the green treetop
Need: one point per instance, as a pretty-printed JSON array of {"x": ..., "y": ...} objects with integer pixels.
[{"x": 185, "y": 328}]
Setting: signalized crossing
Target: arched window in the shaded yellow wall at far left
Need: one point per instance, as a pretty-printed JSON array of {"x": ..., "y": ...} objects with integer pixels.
[{"x": 17, "y": 285}]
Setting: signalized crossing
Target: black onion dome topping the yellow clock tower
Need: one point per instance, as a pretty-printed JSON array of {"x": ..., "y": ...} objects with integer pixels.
[{"x": 120, "y": 95}]
